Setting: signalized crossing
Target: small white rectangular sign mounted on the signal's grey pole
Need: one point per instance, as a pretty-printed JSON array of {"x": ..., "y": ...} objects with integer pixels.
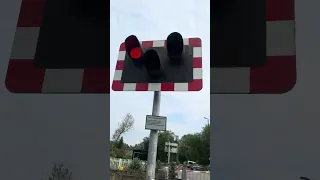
[{"x": 156, "y": 123}]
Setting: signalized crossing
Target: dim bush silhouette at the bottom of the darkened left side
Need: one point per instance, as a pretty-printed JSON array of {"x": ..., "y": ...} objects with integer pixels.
[{"x": 59, "y": 172}]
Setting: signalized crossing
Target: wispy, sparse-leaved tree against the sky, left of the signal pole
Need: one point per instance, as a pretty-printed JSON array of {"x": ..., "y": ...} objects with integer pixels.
[{"x": 123, "y": 127}]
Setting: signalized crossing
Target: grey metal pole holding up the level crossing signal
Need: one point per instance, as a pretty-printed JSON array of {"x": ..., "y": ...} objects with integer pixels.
[{"x": 153, "y": 140}]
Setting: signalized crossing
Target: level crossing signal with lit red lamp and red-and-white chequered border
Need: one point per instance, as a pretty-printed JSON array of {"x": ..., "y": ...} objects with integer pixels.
[{"x": 166, "y": 63}]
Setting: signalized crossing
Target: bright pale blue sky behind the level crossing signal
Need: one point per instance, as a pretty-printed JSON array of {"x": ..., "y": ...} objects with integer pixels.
[{"x": 155, "y": 20}]
